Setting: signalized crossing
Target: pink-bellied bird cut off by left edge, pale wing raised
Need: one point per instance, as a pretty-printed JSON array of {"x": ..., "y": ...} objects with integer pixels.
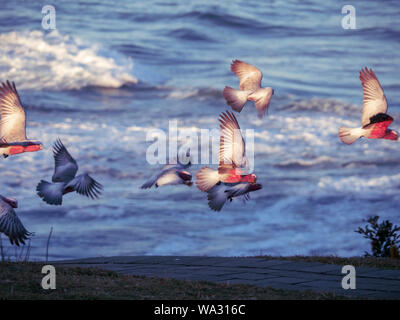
[{"x": 13, "y": 138}]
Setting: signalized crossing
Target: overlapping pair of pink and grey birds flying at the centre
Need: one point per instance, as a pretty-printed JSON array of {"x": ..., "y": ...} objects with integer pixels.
[{"x": 230, "y": 180}]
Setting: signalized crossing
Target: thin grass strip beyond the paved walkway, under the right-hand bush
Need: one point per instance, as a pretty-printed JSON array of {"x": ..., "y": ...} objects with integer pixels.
[{"x": 373, "y": 262}]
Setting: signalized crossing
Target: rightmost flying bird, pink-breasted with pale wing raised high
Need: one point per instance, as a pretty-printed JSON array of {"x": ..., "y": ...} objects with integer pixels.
[{"x": 374, "y": 120}]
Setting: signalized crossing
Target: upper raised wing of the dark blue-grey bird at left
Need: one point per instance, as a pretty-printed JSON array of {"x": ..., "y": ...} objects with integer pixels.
[{"x": 65, "y": 166}]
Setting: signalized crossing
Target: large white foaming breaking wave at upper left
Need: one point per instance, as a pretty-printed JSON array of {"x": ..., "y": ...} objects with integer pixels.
[{"x": 35, "y": 60}]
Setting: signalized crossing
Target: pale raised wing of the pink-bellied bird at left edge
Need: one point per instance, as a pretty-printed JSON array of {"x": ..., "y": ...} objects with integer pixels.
[{"x": 13, "y": 118}]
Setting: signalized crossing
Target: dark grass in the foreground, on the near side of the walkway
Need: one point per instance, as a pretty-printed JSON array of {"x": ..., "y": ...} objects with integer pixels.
[{"x": 23, "y": 281}]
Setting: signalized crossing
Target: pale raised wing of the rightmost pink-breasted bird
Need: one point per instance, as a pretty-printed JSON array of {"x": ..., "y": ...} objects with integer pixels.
[{"x": 374, "y": 98}]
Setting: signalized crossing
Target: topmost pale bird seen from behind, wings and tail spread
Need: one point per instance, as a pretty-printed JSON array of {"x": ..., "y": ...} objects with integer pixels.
[{"x": 249, "y": 89}]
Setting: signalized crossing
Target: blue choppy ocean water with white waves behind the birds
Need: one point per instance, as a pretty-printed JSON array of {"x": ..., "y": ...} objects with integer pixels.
[{"x": 111, "y": 73}]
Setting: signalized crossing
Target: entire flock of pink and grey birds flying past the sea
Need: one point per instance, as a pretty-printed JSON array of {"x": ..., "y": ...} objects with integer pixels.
[{"x": 230, "y": 180}]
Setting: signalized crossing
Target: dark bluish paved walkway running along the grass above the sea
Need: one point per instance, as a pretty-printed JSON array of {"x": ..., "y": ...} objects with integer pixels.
[{"x": 281, "y": 274}]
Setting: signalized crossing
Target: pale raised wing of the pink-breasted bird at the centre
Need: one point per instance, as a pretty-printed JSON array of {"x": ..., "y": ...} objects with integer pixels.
[{"x": 231, "y": 144}]
